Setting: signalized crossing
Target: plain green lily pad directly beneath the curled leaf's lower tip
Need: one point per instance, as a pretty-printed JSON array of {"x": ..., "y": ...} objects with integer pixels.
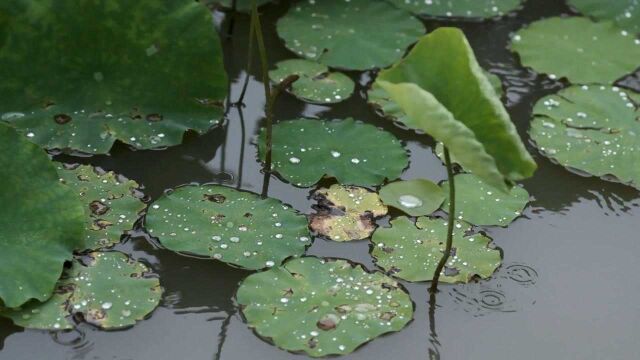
[{"x": 481, "y": 204}]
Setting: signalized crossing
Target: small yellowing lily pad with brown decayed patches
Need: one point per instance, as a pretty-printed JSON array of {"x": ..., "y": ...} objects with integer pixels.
[{"x": 346, "y": 213}]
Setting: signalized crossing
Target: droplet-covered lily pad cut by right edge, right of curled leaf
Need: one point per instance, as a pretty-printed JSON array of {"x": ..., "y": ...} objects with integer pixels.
[{"x": 593, "y": 129}]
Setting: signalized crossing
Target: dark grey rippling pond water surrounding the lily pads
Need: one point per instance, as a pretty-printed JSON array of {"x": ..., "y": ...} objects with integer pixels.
[{"x": 567, "y": 288}]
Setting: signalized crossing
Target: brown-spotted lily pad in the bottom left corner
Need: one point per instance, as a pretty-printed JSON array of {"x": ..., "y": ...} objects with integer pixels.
[{"x": 108, "y": 289}]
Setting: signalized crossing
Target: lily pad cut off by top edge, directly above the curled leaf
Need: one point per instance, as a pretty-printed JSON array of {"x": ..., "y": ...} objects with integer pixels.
[{"x": 477, "y": 9}]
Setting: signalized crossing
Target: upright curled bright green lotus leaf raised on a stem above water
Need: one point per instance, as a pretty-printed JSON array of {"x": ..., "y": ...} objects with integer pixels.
[{"x": 444, "y": 92}]
